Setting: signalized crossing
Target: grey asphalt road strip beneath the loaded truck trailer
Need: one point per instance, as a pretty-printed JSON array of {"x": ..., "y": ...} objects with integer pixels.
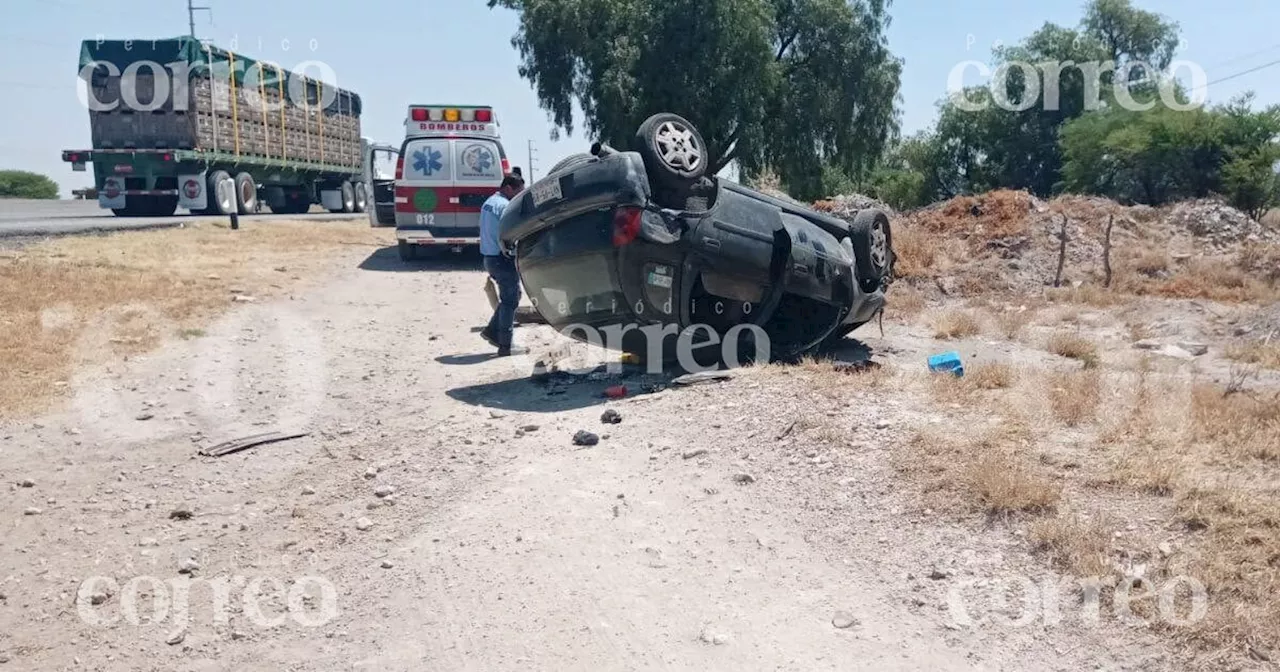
[{"x": 68, "y": 217}]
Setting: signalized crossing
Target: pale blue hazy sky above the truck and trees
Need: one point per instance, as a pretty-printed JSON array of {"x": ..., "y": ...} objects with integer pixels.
[{"x": 395, "y": 53}]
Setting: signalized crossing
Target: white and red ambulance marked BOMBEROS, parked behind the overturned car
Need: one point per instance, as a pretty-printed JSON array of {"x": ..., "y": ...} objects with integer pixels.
[{"x": 450, "y": 163}]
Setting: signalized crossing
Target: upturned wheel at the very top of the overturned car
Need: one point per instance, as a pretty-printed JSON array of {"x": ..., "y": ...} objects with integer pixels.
[{"x": 674, "y": 152}]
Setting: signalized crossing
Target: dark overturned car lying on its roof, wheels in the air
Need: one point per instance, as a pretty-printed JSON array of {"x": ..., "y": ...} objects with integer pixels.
[{"x": 643, "y": 244}]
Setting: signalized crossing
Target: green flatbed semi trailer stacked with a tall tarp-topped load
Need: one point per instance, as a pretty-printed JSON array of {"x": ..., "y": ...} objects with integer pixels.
[{"x": 180, "y": 124}]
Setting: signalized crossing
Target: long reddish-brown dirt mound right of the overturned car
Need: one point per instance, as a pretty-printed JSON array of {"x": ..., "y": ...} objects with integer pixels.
[{"x": 1013, "y": 240}]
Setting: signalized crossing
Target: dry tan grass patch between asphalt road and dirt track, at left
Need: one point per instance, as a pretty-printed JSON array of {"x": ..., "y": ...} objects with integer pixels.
[{"x": 90, "y": 300}]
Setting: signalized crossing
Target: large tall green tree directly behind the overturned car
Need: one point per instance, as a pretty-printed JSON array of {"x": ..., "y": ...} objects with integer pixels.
[{"x": 798, "y": 86}]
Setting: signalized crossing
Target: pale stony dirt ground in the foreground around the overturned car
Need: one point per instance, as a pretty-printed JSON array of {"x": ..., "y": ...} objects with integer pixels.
[{"x": 440, "y": 516}]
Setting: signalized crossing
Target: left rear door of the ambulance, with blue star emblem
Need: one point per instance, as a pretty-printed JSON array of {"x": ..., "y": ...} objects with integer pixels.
[{"x": 424, "y": 195}]
